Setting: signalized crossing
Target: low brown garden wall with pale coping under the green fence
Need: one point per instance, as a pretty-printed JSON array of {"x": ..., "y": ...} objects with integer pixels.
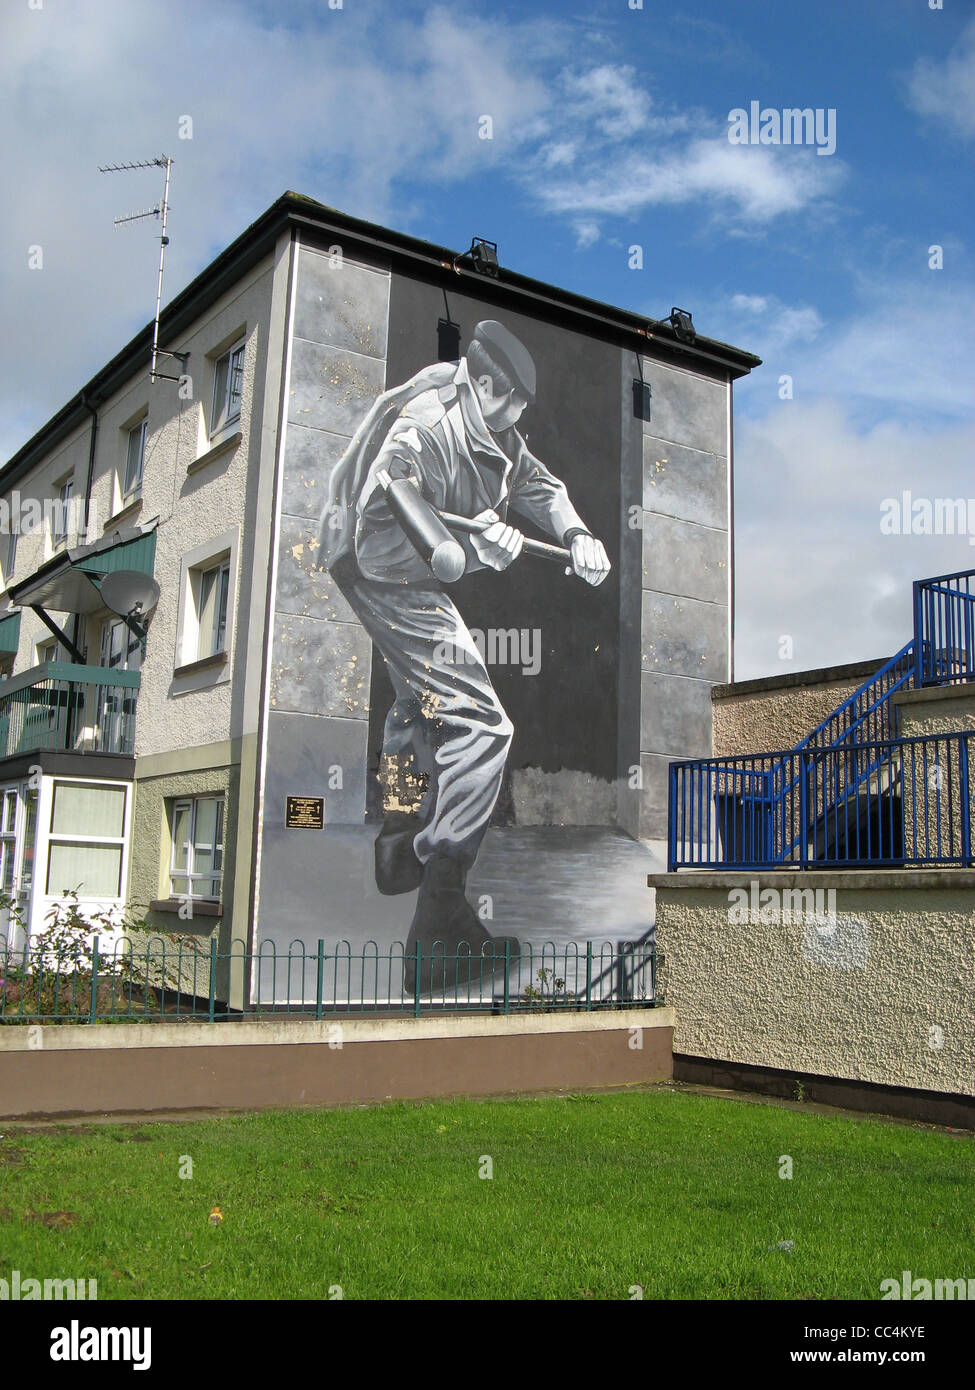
[{"x": 104, "y": 1070}]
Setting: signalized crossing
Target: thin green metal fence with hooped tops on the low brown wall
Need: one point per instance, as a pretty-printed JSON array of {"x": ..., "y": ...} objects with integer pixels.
[{"x": 183, "y": 981}]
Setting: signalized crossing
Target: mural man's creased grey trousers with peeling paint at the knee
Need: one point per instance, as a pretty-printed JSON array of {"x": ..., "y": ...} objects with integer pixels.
[{"x": 444, "y": 694}]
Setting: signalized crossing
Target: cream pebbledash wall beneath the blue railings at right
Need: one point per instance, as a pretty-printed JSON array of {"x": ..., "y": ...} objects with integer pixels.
[{"x": 862, "y": 976}]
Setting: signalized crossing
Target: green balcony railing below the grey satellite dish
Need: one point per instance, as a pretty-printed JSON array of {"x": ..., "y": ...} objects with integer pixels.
[{"x": 86, "y": 710}]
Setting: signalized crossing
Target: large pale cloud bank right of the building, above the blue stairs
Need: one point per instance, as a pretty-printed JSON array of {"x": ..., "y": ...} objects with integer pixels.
[{"x": 812, "y": 561}]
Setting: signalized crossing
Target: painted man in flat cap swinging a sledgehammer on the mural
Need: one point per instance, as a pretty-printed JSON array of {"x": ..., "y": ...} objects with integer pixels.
[{"x": 419, "y": 498}]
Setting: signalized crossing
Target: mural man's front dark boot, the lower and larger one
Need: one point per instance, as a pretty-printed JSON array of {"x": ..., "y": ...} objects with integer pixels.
[{"x": 456, "y": 947}]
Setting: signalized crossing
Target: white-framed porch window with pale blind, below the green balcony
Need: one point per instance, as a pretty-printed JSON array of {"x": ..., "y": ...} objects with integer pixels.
[{"x": 87, "y": 840}]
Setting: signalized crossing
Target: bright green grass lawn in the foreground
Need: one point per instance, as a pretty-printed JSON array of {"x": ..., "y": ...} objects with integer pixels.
[{"x": 592, "y": 1195}]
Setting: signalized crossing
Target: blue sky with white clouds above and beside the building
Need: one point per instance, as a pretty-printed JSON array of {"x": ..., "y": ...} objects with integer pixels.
[{"x": 611, "y": 130}]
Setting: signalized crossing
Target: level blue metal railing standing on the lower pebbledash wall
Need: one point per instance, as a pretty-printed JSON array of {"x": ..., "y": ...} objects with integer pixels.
[{"x": 901, "y": 801}]
